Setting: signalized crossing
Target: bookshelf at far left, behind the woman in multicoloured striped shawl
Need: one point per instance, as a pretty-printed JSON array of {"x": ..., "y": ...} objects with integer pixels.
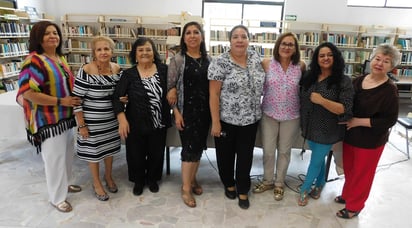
[{"x": 15, "y": 28}]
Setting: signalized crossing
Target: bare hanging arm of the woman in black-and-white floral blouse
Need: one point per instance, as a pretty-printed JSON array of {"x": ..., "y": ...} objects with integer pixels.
[{"x": 214, "y": 102}]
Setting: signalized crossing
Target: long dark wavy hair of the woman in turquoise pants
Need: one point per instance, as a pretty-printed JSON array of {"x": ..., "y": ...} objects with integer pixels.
[{"x": 338, "y": 67}]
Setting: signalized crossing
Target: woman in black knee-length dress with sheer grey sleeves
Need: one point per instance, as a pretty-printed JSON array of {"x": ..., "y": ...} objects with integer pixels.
[{"x": 187, "y": 77}]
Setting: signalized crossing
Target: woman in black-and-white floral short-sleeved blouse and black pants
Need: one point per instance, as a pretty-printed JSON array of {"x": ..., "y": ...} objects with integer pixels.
[{"x": 236, "y": 86}]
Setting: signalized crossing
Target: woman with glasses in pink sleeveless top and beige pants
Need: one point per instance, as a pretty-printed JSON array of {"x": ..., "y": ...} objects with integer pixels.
[{"x": 280, "y": 106}]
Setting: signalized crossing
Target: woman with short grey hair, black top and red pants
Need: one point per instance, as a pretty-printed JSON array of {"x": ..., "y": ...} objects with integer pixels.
[{"x": 375, "y": 111}]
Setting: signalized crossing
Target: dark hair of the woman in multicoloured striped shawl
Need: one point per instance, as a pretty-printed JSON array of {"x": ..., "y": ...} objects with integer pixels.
[{"x": 36, "y": 37}]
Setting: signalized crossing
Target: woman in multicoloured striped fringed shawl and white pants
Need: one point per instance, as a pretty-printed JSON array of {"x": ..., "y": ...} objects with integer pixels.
[{"x": 45, "y": 87}]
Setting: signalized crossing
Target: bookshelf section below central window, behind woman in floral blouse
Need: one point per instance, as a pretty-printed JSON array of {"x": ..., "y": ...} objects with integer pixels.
[{"x": 263, "y": 34}]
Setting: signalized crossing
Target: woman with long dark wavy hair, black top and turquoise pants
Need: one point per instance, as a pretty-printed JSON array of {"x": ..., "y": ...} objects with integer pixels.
[{"x": 326, "y": 99}]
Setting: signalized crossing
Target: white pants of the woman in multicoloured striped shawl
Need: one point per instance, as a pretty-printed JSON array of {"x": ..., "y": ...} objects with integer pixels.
[{"x": 57, "y": 153}]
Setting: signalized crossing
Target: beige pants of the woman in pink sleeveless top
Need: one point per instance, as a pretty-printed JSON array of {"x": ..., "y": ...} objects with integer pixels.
[{"x": 277, "y": 136}]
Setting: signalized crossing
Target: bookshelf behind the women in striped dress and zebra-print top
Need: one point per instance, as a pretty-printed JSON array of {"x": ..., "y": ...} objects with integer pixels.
[{"x": 79, "y": 29}]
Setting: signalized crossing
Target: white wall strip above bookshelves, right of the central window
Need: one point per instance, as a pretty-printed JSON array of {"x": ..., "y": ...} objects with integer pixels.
[{"x": 336, "y": 12}]
